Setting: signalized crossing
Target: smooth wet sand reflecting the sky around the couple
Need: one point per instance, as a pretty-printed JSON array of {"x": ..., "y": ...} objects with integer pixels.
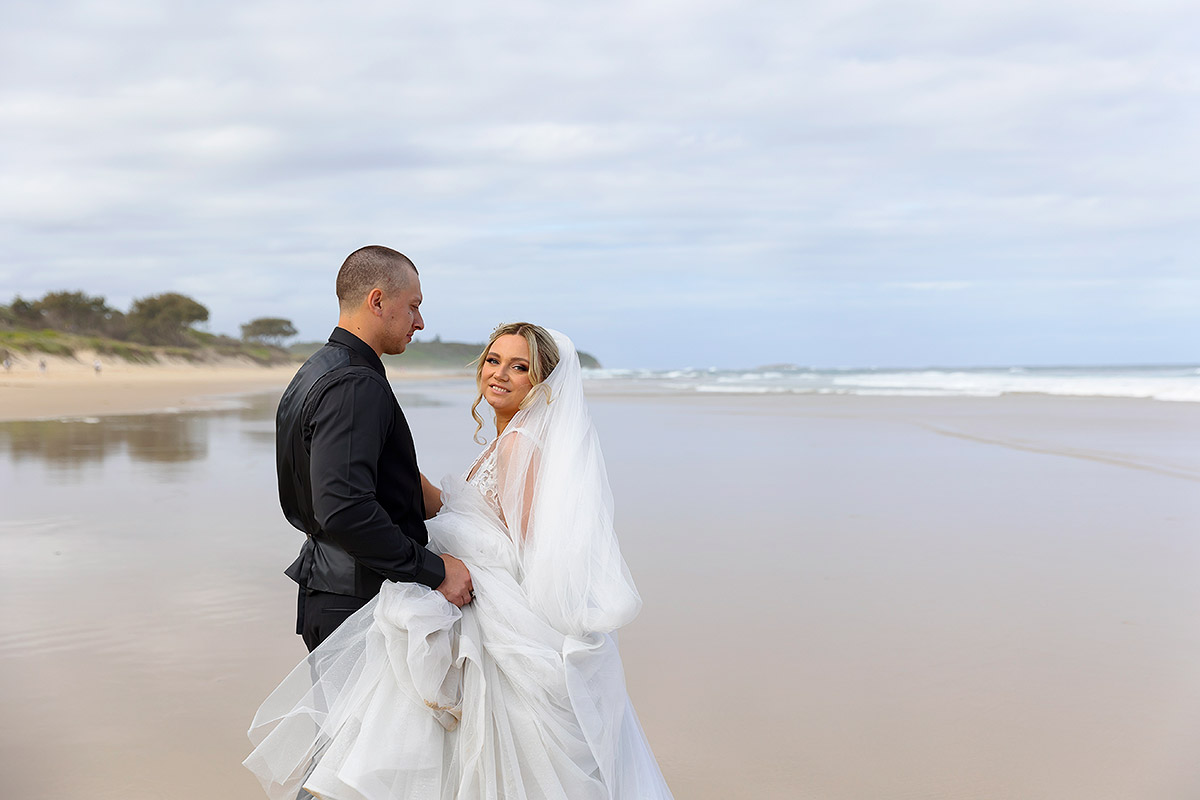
[{"x": 845, "y": 597}]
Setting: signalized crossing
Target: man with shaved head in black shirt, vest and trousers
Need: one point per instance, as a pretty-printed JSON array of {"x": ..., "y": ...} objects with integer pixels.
[{"x": 347, "y": 466}]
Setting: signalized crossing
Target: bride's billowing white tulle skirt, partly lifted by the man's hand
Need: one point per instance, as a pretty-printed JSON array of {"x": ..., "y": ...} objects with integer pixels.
[{"x": 416, "y": 699}]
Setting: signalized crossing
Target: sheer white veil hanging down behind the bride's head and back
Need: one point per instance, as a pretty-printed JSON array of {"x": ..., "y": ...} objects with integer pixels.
[{"x": 555, "y": 494}]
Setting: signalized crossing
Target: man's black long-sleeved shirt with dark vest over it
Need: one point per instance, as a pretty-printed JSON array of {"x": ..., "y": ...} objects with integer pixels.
[{"x": 349, "y": 476}]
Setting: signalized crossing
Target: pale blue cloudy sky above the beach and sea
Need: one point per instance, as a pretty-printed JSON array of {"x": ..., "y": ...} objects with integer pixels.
[{"x": 674, "y": 184}]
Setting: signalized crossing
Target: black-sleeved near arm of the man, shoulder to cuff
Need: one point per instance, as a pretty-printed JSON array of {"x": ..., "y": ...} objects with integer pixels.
[{"x": 351, "y": 424}]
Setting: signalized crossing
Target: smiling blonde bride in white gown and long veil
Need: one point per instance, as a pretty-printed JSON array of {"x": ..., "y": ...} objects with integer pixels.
[{"x": 520, "y": 694}]
